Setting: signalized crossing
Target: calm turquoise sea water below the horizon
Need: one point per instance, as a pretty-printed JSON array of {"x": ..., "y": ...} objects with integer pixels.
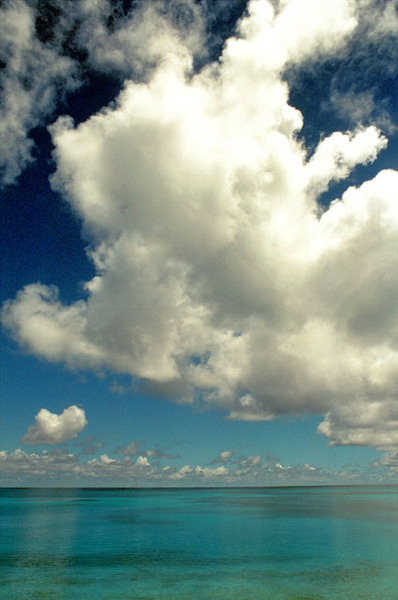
[{"x": 208, "y": 544}]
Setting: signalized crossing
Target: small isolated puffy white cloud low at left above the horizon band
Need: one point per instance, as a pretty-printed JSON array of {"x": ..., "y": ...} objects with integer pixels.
[{"x": 50, "y": 428}]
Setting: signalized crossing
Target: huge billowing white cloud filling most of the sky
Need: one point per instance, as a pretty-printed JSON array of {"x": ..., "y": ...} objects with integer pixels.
[{"x": 217, "y": 275}]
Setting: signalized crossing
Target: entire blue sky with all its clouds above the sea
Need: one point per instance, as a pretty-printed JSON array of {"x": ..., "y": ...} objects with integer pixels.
[{"x": 199, "y": 222}]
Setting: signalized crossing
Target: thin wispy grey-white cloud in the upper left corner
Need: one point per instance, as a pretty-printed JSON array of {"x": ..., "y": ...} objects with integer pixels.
[{"x": 31, "y": 75}]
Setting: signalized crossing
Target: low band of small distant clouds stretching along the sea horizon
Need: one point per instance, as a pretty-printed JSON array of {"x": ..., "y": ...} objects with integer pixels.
[{"x": 61, "y": 467}]
